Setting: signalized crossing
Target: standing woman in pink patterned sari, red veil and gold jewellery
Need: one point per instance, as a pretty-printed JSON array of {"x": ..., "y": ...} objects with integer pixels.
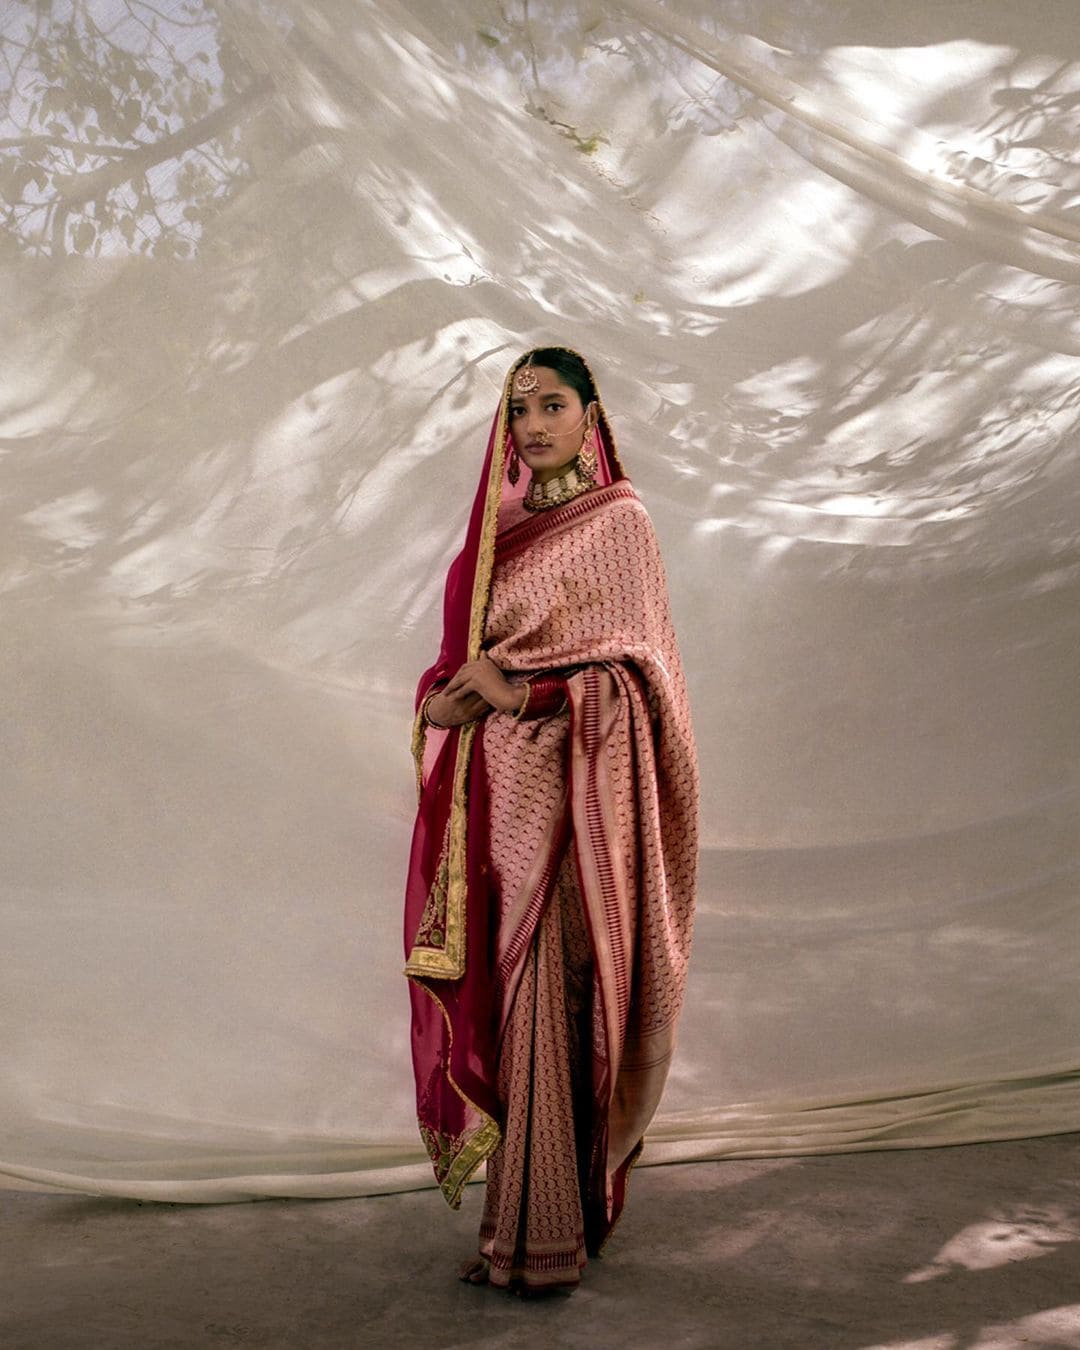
[{"x": 551, "y": 881}]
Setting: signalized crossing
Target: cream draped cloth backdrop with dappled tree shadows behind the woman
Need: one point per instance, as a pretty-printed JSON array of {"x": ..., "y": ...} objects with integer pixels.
[{"x": 264, "y": 268}]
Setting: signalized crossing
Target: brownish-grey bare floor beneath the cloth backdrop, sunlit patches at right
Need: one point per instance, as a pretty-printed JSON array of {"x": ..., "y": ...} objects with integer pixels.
[{"x": 936, "y": 1249}]
